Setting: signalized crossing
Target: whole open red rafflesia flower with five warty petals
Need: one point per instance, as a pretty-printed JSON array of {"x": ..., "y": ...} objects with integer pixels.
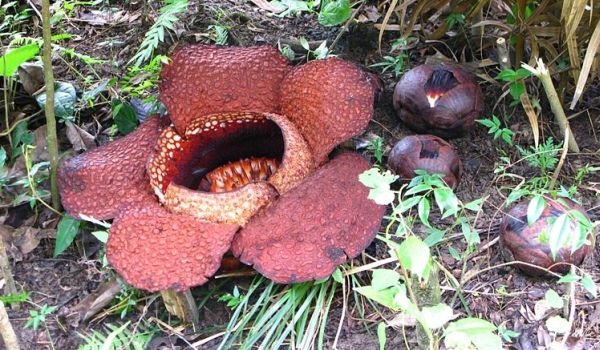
[{"x": 242, "y": 164}]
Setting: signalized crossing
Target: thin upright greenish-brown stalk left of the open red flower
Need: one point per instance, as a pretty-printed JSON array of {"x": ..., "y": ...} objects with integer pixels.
[{"x": 49, "y": 108}]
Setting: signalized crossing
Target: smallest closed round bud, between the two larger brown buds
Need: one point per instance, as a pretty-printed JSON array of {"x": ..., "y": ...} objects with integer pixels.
[{"x": 425, "y": 152}]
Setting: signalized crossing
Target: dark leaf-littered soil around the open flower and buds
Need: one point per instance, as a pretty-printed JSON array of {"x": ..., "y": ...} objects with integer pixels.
[{"x": 500, "y": 295}]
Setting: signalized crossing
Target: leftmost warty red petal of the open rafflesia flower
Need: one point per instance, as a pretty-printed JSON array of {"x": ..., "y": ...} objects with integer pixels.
[{"x": 98, "y": 182}]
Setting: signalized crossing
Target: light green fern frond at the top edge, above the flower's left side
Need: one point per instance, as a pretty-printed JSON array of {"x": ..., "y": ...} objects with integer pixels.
[{"x": 156, "y": 34}]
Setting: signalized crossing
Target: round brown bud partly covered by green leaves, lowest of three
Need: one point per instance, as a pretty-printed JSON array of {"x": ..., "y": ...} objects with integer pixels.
[{"x": 530, "y": 243}]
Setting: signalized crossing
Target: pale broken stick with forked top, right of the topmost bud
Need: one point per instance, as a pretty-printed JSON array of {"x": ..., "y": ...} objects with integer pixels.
[{"x": 559, "y": 114}]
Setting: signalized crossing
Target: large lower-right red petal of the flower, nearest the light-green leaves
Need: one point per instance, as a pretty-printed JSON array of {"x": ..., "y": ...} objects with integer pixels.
[{"x": 314, "y": 227}]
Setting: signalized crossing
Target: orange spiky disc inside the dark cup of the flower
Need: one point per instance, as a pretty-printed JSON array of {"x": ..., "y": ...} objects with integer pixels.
[{"x": 234, "y": 175}]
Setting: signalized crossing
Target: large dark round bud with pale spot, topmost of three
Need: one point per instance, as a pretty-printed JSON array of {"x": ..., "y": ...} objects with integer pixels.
[{"x": 443, "y": 100}]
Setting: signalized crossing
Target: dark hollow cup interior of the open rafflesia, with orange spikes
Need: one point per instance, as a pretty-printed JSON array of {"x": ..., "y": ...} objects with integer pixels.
[{"x": 219, "y": 153}]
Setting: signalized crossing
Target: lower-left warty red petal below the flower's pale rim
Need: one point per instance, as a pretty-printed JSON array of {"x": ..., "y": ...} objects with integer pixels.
[{"x": 153, "y": 249}]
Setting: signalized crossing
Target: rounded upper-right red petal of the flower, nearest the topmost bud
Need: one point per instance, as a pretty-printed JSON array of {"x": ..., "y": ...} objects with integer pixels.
[{"x": 329, "y": 100}]
